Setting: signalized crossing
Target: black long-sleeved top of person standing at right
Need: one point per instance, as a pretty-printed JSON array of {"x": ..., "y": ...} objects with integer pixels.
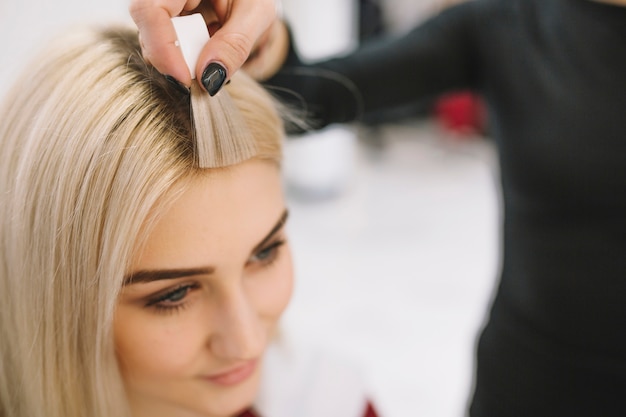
[{"x": 553, "y": 74}]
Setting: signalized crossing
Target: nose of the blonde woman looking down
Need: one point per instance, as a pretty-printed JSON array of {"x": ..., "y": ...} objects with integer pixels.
[{"x": 239, "y": 332}]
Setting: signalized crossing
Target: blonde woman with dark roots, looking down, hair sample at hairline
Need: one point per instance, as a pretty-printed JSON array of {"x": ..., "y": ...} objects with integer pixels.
[{"x": 144, "y": 262}]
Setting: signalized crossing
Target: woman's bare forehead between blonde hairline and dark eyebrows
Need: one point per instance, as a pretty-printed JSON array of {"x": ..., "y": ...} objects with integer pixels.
[{"x": 217, "y": 217}]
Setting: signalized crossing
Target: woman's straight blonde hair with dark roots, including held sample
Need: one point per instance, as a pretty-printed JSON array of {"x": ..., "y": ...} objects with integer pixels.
[{"x": 92, "y": 143}]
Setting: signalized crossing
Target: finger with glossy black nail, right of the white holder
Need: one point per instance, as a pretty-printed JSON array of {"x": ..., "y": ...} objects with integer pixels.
[{"x": 243, "y": 23}]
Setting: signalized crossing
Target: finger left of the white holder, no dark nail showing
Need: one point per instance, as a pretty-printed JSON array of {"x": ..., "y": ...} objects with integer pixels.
[{"x": 157, "y": 35}]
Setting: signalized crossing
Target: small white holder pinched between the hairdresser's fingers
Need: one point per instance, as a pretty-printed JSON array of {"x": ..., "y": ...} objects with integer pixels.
[{"x": 192, "y": 34}]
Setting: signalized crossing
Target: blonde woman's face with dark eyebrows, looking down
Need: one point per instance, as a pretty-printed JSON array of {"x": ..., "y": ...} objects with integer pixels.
[{"x": 203, "y": 296}]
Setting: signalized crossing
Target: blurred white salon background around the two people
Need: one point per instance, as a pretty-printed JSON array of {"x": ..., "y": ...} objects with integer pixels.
[{"x": 394, "y": 221}]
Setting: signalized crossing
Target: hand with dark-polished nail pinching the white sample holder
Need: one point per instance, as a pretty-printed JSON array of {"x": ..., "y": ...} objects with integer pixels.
[{"x": 235, "y": 27}]
